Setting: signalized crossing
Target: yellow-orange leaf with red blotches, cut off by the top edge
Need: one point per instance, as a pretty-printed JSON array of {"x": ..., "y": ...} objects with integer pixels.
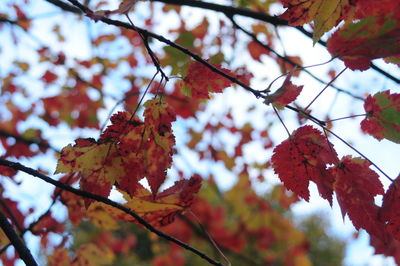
[{"x": 325, "y": 14}]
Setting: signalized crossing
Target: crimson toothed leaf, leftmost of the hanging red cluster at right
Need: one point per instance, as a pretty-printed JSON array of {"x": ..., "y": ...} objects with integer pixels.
[{"x": 303, "y": 158}]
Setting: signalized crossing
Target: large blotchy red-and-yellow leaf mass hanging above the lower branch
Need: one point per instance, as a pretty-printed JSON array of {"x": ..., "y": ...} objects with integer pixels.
[{"x": 127, "y": 151}]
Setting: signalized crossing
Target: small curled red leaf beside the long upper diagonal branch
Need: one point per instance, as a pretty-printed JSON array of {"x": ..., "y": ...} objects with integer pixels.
[{"x": 286, "y": 94}]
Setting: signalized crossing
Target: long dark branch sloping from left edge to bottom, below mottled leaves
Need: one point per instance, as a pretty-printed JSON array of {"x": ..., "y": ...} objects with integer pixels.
[{"x": 30, "y": 171}]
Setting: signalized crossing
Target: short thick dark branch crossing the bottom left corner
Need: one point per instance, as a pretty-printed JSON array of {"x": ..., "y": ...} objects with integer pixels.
[{"x": 16, "y": 241}]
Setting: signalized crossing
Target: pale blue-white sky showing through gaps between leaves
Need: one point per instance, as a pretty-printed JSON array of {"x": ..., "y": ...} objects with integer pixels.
[{"x": 382, "y": 153}]
